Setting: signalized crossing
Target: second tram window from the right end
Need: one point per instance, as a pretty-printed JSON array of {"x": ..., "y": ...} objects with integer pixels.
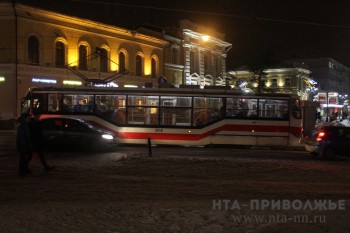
[{"x": 241, "y": 108}]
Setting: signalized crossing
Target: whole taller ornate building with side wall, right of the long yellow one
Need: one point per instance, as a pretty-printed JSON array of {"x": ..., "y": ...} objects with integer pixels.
[{"x": 196, "y": 55}]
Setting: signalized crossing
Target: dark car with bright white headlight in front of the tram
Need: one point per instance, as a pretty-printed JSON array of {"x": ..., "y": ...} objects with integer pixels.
[{"x": 75, "y": 134}]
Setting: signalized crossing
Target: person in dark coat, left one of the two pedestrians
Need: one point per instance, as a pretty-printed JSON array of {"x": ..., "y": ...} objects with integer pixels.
[{"x": 24, "y": 144}]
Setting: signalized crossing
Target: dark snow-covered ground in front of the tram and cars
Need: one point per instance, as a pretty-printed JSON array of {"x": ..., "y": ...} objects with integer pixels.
[{"x": 122, "y": 193}]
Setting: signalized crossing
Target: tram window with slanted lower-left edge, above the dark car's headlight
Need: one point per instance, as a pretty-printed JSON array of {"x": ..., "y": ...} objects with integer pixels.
[{"x": 111, "y": 107}]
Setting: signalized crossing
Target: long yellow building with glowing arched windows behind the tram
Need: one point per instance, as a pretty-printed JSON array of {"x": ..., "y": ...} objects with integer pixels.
[{"x": 41, "y": 48}]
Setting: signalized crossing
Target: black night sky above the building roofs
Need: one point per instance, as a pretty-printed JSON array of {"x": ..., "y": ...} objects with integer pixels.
[{"x": 263, "y": 32}]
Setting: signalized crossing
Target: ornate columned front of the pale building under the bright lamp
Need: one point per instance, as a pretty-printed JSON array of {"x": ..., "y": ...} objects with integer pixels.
[{"x": 204, "y": 53}]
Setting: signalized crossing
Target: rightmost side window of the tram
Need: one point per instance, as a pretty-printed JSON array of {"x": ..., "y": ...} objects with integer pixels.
[{"x": 269, "y": 108}]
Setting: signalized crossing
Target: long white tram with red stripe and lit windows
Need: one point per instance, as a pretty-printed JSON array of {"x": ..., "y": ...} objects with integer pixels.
[{"x": 176, "y": 116}]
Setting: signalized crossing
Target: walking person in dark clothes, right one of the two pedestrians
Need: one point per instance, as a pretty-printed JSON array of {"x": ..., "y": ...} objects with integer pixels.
[{"x": 38, "y": 140}]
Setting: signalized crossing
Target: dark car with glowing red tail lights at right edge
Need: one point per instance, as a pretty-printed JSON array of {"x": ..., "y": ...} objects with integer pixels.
[{"x": 329, "y": 141}]
